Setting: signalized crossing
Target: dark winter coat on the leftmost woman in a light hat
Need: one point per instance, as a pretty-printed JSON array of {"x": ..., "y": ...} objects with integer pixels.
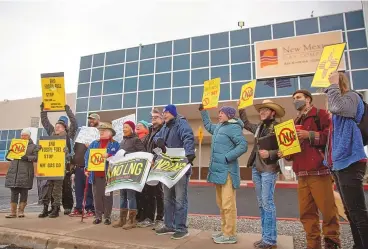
[{"x": 21, "y": 173}]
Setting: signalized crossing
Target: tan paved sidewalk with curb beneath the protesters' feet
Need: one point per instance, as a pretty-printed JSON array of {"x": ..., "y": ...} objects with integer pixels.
[{"x": 69, "y": 233}]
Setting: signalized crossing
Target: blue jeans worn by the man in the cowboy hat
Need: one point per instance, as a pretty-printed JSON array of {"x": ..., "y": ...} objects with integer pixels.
[{"x": 265, "y": 188}]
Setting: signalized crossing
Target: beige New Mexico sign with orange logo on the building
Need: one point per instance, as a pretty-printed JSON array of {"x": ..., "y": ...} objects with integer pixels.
[{"x": 296, "y": 55}]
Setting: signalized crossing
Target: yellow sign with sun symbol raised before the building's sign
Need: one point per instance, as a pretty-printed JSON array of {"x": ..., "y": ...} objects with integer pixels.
[{"x": 328, "y": 63}]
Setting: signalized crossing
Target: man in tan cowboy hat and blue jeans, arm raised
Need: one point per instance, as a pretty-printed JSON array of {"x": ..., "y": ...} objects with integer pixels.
[{"x": 265, "y": 168}]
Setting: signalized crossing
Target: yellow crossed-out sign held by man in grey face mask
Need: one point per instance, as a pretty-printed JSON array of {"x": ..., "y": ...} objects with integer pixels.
[{"x": 286, "y": 138}]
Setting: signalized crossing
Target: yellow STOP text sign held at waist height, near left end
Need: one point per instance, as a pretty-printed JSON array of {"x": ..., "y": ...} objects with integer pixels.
[{"x": 51, "y": 158}]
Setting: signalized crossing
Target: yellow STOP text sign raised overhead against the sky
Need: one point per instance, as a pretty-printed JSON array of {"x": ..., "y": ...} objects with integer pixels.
[{"x": 53, "y": 91}]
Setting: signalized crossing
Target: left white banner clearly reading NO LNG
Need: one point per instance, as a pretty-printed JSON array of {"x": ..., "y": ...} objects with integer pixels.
[{"x": 128, "y": 172}]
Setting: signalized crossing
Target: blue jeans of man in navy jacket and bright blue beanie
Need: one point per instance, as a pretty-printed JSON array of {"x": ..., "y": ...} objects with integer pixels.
[{"x": 176, "y": 204}]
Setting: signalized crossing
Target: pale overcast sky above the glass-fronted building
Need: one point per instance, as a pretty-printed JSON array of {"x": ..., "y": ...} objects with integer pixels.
[{"x": 51, "y": 36}]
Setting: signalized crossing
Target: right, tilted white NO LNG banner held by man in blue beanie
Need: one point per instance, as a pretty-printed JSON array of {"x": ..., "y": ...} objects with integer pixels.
[{"x": 169, "y": 168}]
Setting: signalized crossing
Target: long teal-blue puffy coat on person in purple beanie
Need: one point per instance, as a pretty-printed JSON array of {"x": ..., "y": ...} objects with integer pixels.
[{"x": 228, "y": 144}]
